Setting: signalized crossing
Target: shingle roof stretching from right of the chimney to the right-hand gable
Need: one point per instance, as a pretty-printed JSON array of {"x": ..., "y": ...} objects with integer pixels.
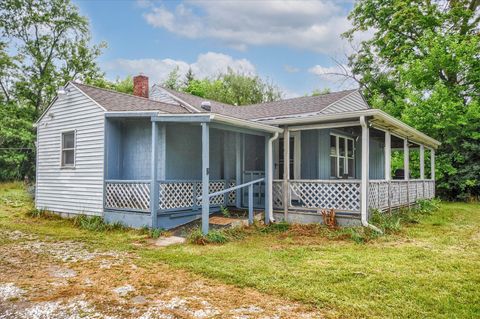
[{"x": 300, "y": 105}]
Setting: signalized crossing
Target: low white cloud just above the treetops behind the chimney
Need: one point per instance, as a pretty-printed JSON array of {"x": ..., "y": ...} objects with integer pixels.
[{"x": 207, "y": 65}]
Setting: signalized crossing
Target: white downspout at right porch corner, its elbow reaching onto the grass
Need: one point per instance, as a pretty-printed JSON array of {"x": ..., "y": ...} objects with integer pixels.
[{"x": 365, "y": 173}]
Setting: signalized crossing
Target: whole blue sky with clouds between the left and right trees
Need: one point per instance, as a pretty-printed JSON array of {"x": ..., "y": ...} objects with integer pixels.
[{"x": 290, "y": 42}]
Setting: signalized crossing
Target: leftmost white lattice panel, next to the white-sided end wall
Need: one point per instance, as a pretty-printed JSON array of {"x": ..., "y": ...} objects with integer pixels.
[{"x": 127, "y": 195}]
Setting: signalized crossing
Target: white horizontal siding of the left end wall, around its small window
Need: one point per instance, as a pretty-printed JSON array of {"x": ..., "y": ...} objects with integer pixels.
[{"x": 71, "y": 189}]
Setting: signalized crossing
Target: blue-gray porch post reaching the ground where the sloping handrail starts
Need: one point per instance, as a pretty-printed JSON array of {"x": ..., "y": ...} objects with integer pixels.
[{"x": 205, "y": 177}]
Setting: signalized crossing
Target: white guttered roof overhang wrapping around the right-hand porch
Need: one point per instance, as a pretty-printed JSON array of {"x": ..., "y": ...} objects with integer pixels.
[{"x": 377, "y": 118}]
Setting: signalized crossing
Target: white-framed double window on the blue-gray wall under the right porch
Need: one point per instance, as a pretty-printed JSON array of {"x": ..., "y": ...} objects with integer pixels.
[{"x": 342, "y": 157}]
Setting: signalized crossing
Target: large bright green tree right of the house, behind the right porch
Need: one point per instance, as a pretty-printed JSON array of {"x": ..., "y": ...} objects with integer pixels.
[{"x": 422, "y": 65}]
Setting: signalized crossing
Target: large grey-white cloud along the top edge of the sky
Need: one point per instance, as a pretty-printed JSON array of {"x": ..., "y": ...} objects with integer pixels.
[{"x": 312, "y": 25}]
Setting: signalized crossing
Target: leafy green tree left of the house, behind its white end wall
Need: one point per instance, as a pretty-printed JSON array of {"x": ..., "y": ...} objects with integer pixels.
[{"x": 43, "y": 44}]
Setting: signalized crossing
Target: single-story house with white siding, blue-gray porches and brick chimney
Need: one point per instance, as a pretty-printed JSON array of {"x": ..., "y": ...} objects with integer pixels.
[{"x": 161, "y": 158}]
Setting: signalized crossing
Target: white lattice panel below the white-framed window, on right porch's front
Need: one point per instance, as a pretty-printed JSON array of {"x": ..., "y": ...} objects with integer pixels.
[{"x": 317, "y": 194}]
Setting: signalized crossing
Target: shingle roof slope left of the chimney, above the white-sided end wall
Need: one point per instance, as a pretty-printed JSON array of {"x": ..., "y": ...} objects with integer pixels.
[{"x": 116, "y": 101}]
